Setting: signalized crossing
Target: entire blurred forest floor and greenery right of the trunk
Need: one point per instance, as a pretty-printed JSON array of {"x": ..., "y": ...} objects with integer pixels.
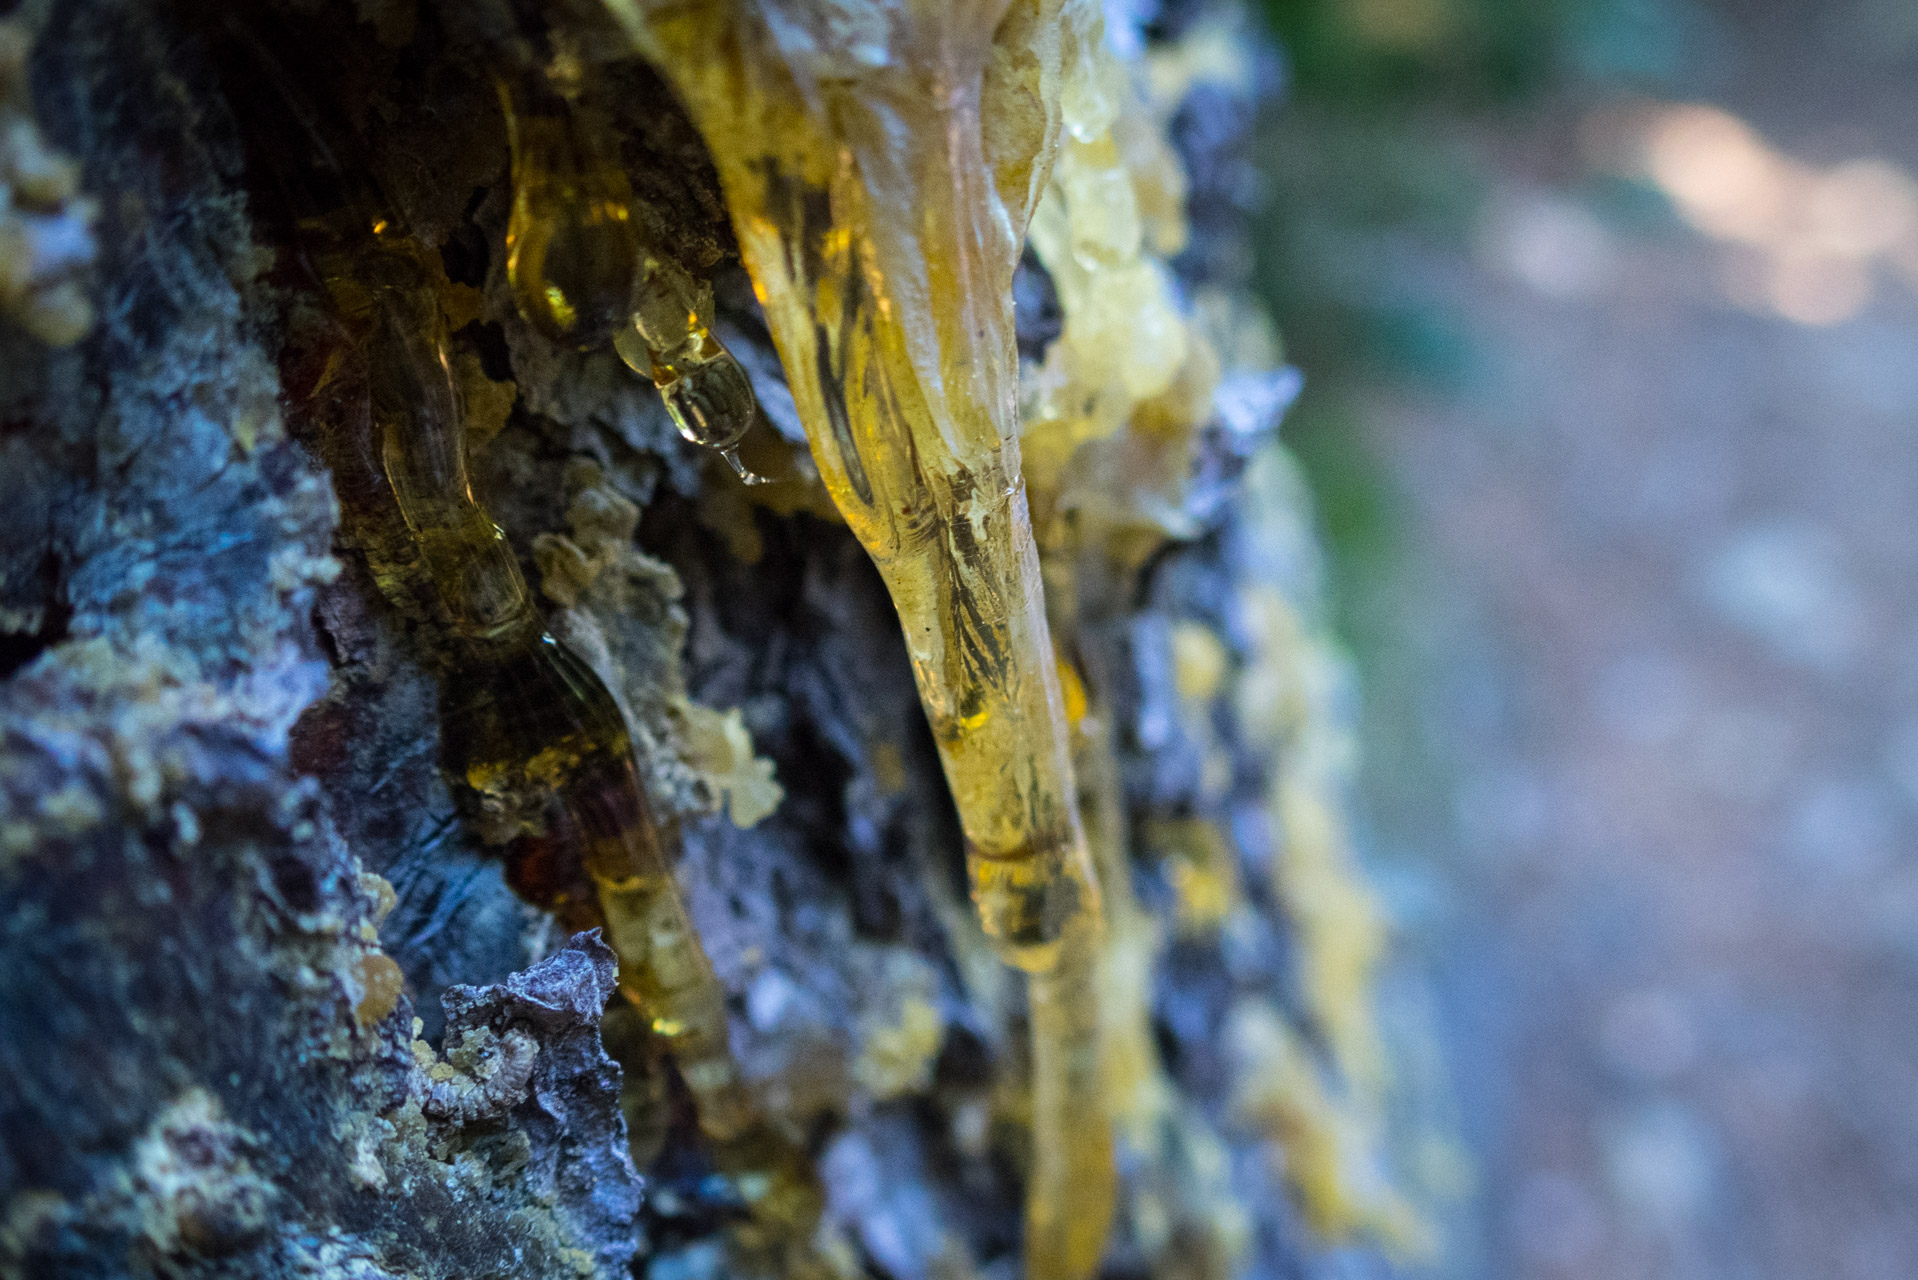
[{"x": 1608, "y": 314}]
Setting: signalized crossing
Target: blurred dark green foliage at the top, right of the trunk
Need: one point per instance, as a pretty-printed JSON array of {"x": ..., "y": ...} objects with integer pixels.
[{"x": 1374, "y": 158}]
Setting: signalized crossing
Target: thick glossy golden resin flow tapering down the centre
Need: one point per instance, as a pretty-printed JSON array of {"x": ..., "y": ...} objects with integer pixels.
[{"x": 879, "y": 164}]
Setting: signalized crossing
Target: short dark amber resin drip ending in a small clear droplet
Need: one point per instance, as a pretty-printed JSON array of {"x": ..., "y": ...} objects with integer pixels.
[{"x": 584, "y": 272}]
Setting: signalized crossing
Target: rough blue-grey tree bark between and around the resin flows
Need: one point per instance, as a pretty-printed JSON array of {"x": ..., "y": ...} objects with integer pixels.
[{"x": 223, "y": 818}]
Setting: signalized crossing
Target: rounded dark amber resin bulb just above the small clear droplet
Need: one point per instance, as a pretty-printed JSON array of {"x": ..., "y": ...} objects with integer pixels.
[{"x": 573, "y": 250}]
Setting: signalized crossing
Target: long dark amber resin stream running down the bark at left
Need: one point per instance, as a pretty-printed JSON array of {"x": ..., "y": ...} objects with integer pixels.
[{"x": 530, "y": 724}]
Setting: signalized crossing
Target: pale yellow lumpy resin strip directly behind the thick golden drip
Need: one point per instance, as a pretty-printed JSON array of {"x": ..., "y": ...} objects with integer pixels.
[{"x": 1110, "y": 385}]
